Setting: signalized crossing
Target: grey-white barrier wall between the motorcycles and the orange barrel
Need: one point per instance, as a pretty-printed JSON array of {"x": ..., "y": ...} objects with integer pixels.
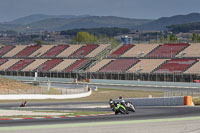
[{"x": 169, "y": 101}]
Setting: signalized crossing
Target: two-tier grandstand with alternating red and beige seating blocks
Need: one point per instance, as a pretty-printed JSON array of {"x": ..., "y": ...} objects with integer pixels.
[{"x": 129, "y": 61}]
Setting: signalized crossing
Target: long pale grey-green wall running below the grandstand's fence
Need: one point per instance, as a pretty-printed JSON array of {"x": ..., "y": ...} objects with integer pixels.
[{"x": 113, "y": 82}]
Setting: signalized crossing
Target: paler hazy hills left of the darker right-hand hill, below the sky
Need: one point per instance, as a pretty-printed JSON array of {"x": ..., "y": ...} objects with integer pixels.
[{"x": 31, "y": 23}]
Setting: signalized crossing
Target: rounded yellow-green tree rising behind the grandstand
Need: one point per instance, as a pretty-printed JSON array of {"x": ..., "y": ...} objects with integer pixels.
[{"x": 84, "y": 37}]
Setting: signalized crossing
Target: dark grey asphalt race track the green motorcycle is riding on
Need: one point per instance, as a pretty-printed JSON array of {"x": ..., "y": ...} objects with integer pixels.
[{"x": 142, "y": 113}]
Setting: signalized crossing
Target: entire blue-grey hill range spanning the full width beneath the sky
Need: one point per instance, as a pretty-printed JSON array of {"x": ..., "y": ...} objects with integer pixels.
[{"x": 39, "y": 22}]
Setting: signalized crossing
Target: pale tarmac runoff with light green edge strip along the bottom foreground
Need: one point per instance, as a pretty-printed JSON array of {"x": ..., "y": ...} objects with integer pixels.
[{"x": 171, "y": 125}]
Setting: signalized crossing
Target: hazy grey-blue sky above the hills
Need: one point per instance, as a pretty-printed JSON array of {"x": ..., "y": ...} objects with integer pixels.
[{"x": 150, "y": 9}]
